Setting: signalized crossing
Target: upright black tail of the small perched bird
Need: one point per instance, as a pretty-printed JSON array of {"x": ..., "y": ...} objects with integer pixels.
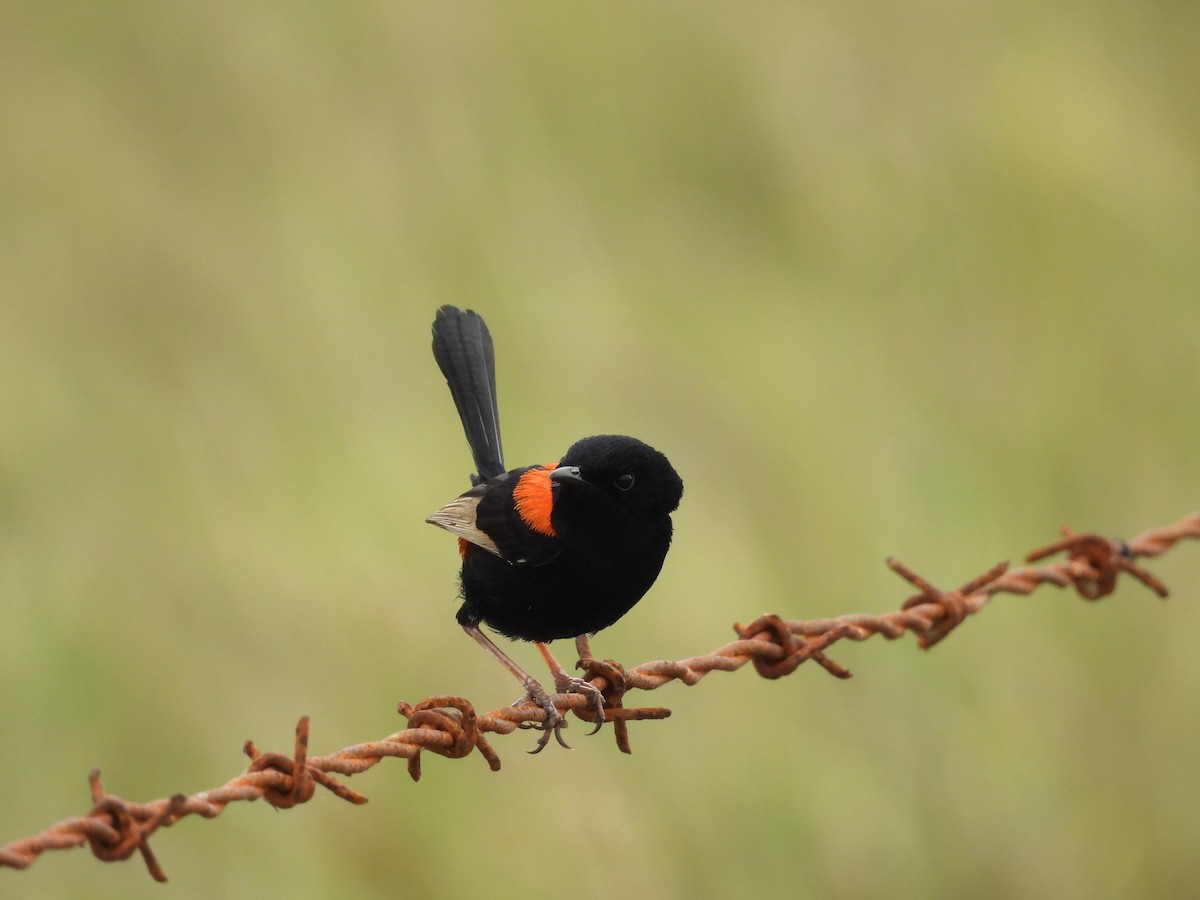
[{"x": 464, "y": 351}]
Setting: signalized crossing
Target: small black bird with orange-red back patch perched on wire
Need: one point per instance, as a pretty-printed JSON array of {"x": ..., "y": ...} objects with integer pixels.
[{"x": 551, "y": 551}]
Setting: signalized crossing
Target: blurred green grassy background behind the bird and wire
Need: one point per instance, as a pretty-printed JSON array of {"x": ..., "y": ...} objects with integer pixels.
[{"x": 916, "y": 280}]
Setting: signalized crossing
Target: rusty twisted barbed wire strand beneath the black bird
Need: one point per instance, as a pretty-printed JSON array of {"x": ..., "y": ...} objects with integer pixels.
[{"x": 449, "y": 727}]
